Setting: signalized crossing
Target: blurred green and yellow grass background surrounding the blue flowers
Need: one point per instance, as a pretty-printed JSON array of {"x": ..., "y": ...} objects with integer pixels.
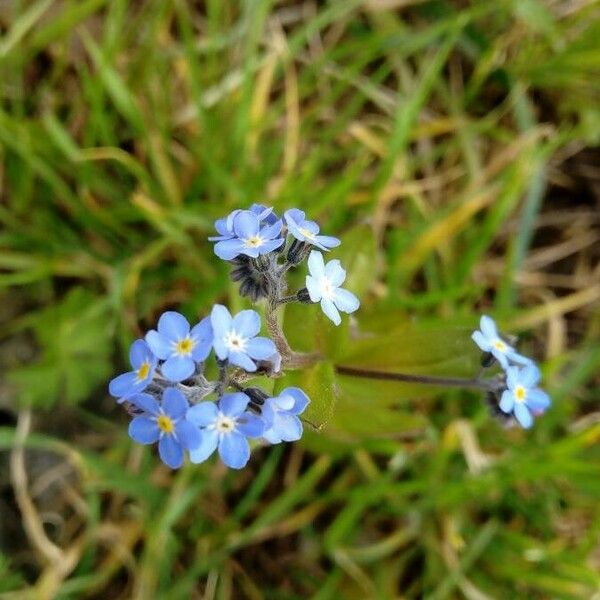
[{"x": 452, "y": 145}]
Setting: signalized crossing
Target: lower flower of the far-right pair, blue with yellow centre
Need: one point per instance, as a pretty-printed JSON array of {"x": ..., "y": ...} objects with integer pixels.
[{"x": 523, "y": 398}]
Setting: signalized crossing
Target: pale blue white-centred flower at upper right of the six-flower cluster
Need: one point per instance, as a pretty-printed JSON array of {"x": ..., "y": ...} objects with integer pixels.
[{"x": 235, "y": 338}]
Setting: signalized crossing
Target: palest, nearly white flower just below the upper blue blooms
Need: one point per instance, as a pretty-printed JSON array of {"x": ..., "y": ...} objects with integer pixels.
[{"x": 323, "y": 285}]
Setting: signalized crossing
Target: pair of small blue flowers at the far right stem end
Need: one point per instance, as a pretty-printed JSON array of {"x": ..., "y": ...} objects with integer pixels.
[{"x": 518, "y": 391}]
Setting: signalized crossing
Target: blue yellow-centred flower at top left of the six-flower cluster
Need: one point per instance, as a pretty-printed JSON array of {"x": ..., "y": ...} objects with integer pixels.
[{"x": 179, "y": 347}]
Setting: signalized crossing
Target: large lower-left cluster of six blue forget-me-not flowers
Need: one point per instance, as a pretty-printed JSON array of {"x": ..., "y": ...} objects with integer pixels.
[{"x": 166, "y": 391}]
